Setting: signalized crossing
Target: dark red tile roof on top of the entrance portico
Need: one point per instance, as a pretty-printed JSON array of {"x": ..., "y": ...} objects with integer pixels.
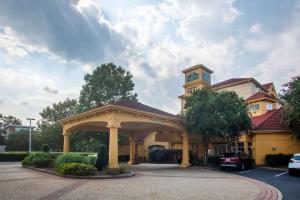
[{"x": 139, "y": 106}]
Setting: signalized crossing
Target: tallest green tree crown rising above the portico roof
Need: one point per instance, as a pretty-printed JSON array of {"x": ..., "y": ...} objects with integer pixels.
[{"x": 107, "y": 83}]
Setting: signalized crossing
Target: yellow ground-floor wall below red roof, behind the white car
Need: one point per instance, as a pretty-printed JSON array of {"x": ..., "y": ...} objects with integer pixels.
[{"x": 273, "y": 143}]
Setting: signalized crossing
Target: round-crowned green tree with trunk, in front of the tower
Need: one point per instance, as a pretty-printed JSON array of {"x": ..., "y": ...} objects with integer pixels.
[{"x": 213, "y": 114}]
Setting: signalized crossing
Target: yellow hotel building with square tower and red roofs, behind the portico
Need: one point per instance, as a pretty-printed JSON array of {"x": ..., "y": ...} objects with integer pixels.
[{"x": 269, "y": 136}]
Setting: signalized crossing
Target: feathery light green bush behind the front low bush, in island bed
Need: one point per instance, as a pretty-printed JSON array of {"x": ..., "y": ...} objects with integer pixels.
[{"x": 72, "y": 158}]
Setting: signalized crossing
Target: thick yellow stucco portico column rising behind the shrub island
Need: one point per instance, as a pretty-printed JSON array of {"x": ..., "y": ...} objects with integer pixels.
[{"x": 113, "y": 148}]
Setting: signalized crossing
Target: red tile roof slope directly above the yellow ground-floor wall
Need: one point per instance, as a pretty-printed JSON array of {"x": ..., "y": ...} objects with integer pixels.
[{"x": 268, "y": 121}]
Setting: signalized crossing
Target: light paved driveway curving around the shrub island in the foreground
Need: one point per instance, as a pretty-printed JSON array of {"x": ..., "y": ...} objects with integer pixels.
[{"x": 150, "y": 182}]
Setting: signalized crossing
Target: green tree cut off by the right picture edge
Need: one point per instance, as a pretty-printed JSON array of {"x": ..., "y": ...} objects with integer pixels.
[{"x": 291, "y": 109}]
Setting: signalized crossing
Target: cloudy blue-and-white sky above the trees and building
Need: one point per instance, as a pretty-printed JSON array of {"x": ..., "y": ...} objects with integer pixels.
[{"x": 47, "y": 46}]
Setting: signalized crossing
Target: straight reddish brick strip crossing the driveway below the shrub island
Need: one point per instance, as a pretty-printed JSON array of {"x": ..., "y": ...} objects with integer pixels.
[{"x": 61, "y": 192}]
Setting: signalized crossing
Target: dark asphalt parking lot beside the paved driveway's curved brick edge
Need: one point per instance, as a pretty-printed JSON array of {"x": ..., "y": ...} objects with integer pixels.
[{"x": 289, "y": 186}]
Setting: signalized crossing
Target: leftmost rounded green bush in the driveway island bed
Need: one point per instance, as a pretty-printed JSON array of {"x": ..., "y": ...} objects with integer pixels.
[{"x": 37, "y": 160}]
